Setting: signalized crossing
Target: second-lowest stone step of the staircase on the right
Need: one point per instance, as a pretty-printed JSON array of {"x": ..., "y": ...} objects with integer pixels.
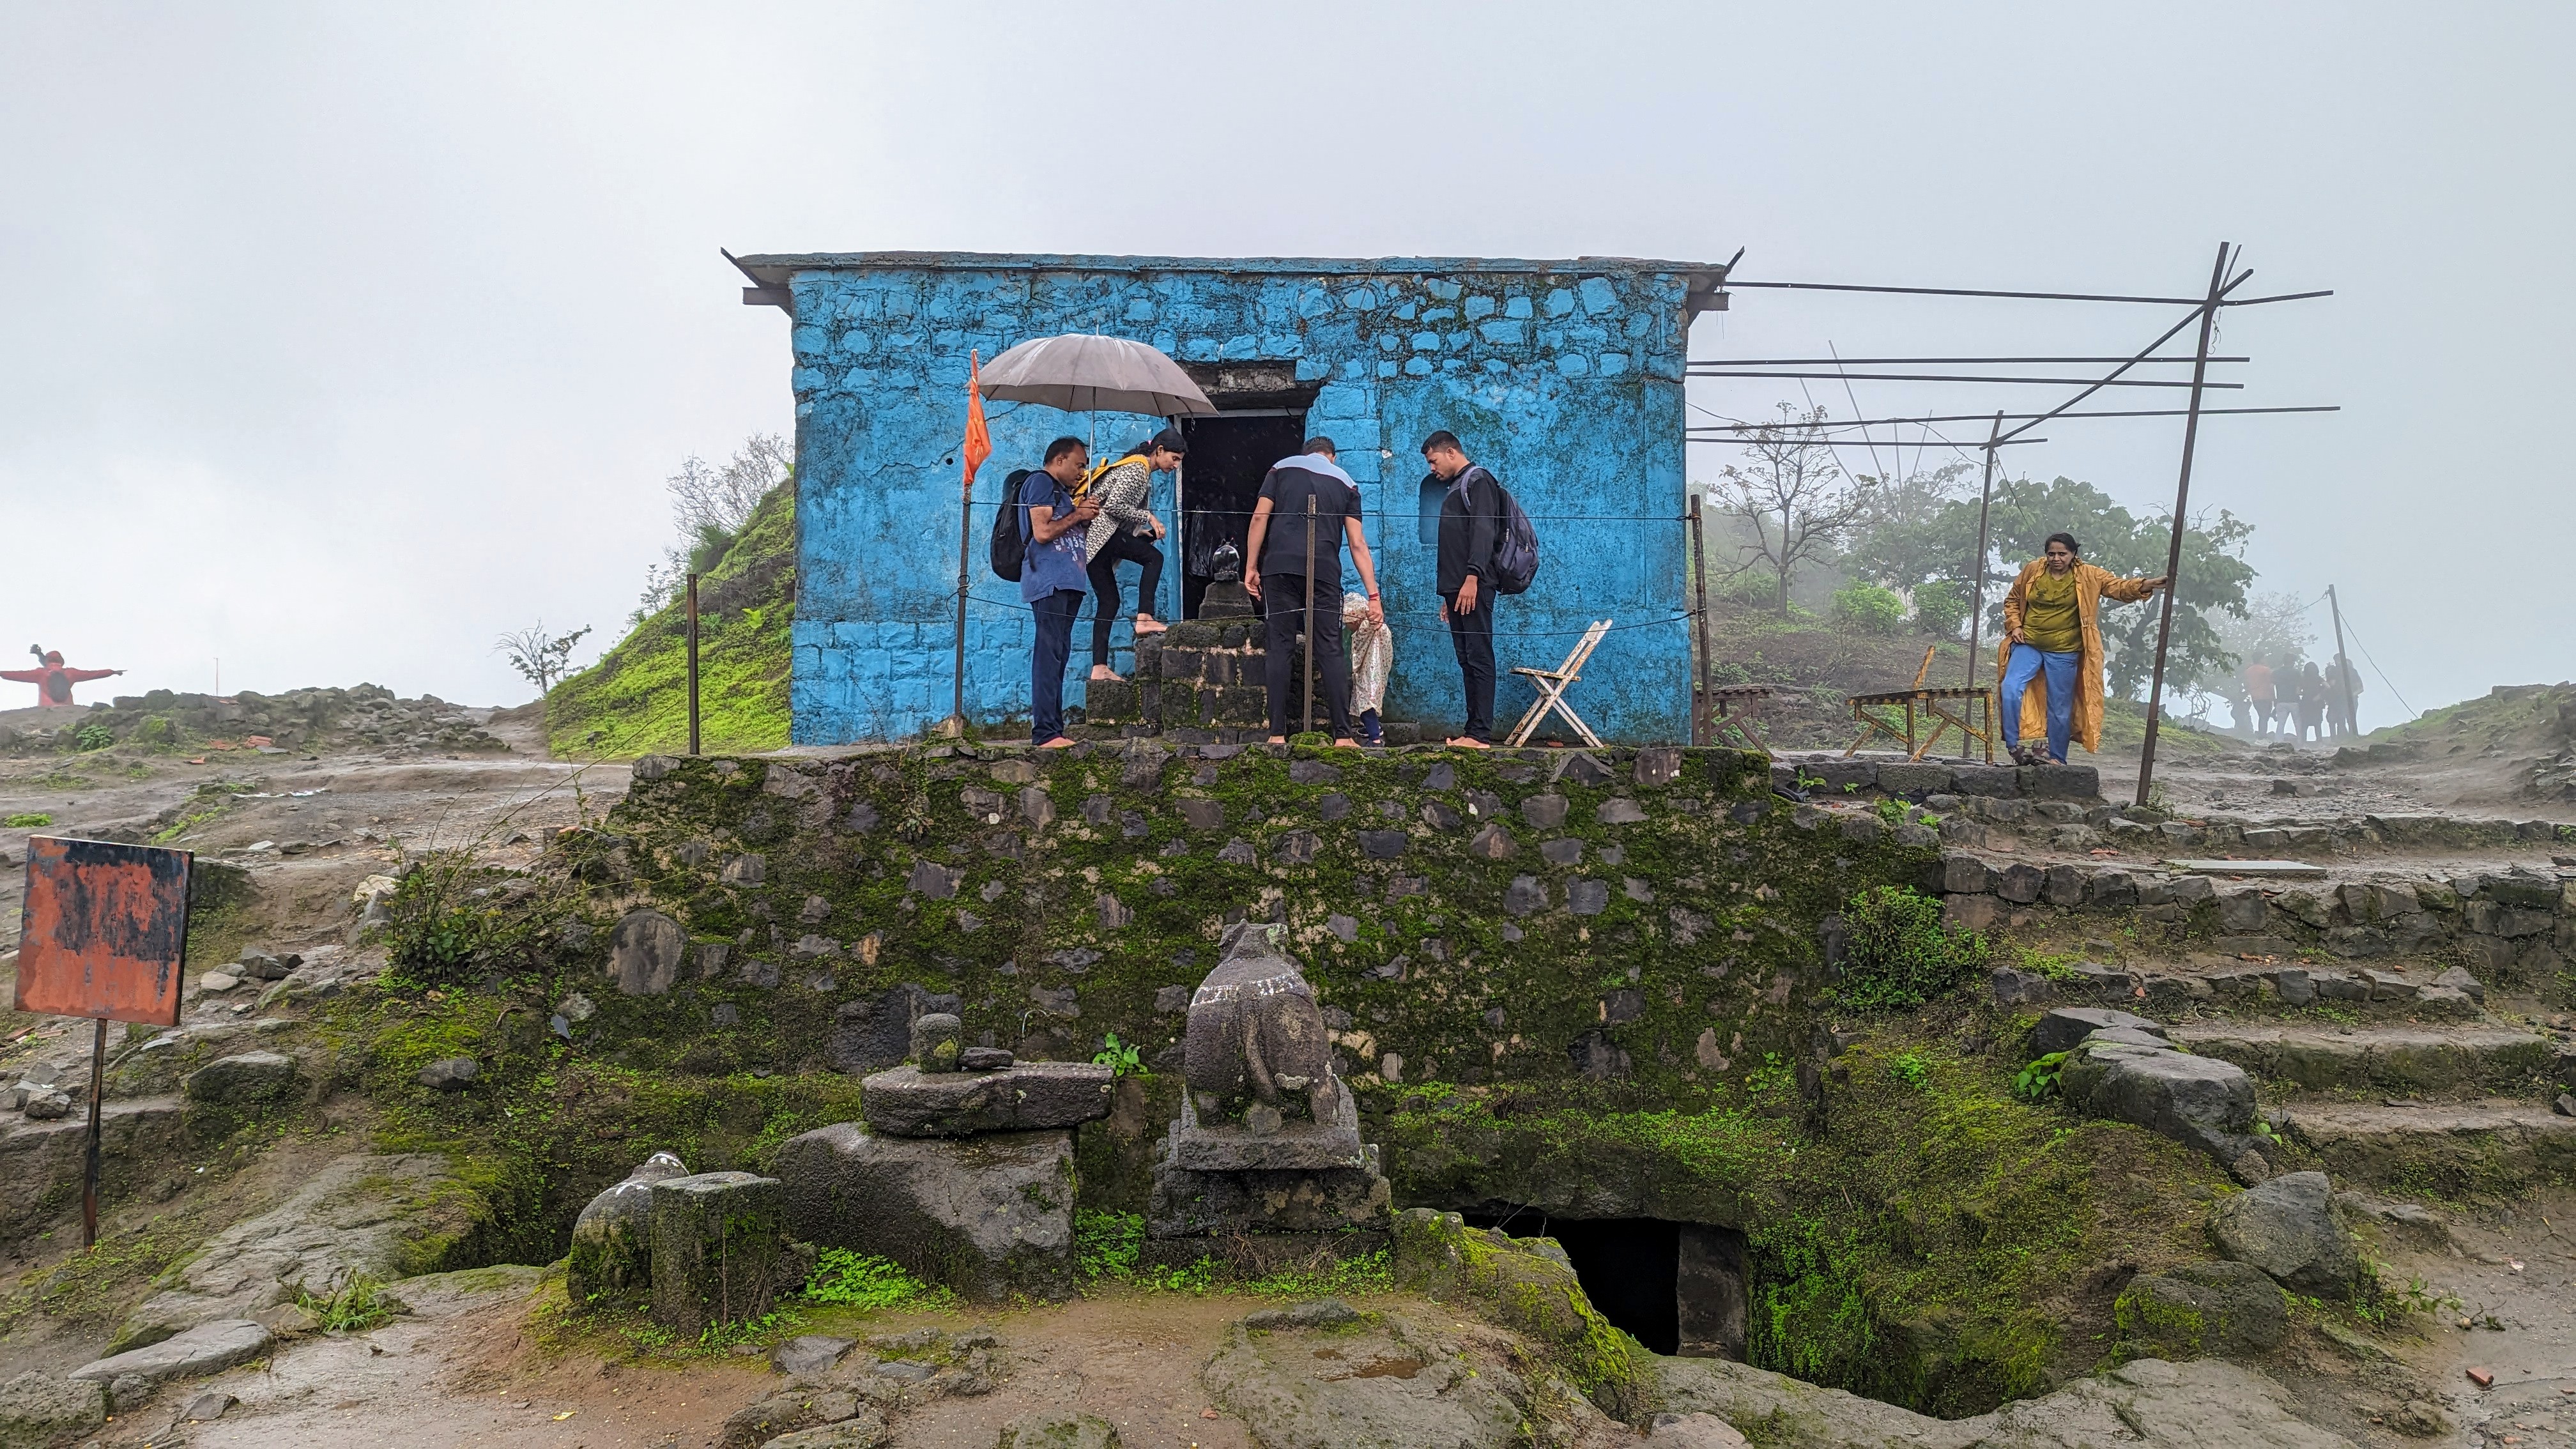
[{"x": 2392, "y": 1058}]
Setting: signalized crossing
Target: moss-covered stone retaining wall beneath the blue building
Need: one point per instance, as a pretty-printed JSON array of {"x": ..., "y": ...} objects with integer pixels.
[{"x": 1632, "y": 919}]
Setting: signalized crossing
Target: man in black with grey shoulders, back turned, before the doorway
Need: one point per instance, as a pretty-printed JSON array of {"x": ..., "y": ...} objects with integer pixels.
[{"x": 1279, "y": 576}]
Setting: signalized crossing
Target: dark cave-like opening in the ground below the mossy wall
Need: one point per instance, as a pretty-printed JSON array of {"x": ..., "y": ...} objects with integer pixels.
[{"x": 1678, "y": 1288}]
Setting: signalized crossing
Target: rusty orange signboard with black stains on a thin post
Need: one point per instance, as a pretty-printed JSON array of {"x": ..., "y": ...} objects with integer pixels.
[{"x": 107, "y": 929}]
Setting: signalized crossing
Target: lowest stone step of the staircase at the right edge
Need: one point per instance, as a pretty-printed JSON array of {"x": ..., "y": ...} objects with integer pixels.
[{"x": 2451, "y": 1149}]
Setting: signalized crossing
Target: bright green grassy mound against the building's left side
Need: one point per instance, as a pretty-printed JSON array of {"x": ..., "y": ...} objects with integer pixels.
[{"x": 635, "y": 700}]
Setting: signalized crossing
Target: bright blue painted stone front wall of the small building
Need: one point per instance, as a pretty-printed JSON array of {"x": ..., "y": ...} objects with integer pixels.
[{"x": 1562, "y": 378}]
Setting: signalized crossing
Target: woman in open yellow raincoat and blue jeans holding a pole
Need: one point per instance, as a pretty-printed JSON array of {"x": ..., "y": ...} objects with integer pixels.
[{"x": 2052, "y": 659}]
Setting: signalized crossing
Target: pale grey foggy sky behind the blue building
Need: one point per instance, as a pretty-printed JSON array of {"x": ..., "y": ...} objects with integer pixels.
[{"x": 341, "y": 339}]
